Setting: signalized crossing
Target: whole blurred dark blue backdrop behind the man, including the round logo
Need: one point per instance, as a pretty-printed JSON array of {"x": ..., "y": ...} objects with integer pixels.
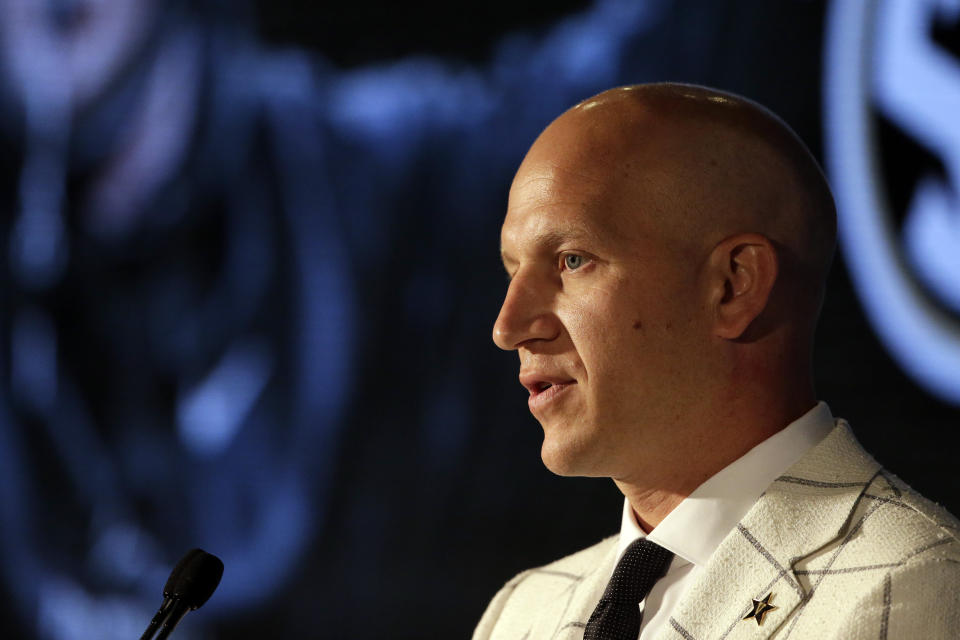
[{"x": 249, "y": 268}]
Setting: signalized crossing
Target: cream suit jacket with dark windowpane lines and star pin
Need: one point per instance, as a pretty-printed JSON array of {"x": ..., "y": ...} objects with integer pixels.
[{"x": 848, "y": 551}]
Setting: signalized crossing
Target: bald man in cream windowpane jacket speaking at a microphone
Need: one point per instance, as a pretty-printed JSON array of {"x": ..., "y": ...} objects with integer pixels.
[{"x": 667, "y": 247}]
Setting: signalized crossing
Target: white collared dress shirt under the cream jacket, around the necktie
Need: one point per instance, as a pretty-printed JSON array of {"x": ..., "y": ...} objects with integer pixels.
[{"x": 697, "y": 526}]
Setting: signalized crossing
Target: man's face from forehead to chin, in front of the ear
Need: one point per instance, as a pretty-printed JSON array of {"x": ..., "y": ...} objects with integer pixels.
[{"x": 601, "y": 308}]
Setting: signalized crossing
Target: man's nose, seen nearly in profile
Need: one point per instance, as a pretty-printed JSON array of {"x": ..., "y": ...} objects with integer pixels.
[{"x": 526, "y": 314}]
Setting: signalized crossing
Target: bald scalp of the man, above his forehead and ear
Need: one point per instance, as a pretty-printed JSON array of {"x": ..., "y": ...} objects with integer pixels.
[{"x": 699, "y": 165}]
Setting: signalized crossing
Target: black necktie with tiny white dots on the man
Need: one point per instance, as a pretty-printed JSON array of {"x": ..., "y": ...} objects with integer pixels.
[{"x": 617, "y": 616}]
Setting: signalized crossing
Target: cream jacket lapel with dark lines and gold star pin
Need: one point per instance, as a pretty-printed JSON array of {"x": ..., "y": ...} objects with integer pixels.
[{"x": 803, "y": 511}]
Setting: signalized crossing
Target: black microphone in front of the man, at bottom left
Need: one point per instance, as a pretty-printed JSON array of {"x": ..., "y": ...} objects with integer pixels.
[{"x": 191, "y": 583}]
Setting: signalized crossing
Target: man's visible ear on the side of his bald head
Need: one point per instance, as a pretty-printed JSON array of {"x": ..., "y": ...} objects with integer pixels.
[{"x": 743, "y": 269}]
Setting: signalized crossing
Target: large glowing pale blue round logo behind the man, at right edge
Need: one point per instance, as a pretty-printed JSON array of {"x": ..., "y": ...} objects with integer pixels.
[{"x": 881, "y": 58}]
